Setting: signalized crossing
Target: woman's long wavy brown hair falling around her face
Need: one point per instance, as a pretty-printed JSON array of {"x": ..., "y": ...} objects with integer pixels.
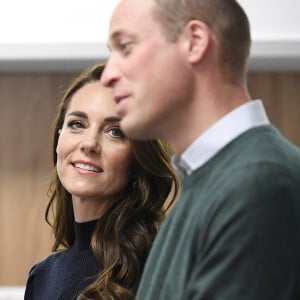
[{"x": 123, "y": 235}]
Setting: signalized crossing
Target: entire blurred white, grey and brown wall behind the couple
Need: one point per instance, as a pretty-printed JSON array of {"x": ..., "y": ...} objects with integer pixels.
[{"x": 43, "y": 46}]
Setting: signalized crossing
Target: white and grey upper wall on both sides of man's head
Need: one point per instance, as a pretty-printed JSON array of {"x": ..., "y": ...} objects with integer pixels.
[{"x": 71, "y": 34}]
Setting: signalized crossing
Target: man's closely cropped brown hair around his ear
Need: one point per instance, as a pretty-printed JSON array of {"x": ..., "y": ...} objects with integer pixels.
[{"x": 225, "y": 18}]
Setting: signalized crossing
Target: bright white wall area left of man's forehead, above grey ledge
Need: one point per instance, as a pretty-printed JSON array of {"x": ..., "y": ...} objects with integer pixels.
[{"x": 55, "y": 21}]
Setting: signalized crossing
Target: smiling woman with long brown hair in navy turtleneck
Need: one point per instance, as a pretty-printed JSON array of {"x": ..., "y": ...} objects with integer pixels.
[{"x": 106, "y": 203}]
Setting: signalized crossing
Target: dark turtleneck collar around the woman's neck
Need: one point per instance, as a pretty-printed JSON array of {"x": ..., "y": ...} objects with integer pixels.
[{"x": 83, "y": 234}]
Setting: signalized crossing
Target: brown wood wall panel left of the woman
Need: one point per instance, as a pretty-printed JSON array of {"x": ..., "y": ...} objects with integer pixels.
[{"x": 28, "y": 103}]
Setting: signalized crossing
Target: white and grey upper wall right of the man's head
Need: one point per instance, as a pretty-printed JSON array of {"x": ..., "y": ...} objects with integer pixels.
[{"x": 275, "y": 28}]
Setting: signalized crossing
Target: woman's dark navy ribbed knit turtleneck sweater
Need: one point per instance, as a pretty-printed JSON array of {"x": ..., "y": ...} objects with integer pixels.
[{"x": 63, "y": 275}]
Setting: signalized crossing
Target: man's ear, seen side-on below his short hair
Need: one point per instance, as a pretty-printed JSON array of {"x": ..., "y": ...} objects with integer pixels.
[{"x": 197, "y": 38}]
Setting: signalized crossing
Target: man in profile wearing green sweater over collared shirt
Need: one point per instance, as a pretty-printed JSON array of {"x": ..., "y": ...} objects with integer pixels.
[{"x": 178, "y": 71}]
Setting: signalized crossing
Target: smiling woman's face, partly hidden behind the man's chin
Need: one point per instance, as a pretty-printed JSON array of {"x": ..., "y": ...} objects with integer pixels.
[{"x": 93, "y": 156}]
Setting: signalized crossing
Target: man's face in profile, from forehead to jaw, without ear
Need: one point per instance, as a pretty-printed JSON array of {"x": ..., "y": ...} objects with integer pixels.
[{"x": 146, "y": 72}]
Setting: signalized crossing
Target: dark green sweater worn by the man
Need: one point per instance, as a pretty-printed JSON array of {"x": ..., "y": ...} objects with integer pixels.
[{"x": 235, "y": 232}]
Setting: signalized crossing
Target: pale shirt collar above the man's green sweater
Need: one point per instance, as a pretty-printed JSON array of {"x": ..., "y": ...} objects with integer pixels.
[{"x": 238, "y": 121}]
